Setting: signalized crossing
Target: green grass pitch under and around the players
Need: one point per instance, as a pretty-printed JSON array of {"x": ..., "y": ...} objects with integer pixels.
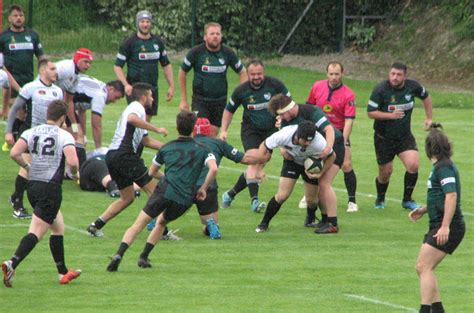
[{"x": 367, "y": 267}]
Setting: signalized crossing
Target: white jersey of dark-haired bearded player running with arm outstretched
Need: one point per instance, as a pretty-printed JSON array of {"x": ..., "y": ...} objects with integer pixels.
[{"x": 127, "y": 137}]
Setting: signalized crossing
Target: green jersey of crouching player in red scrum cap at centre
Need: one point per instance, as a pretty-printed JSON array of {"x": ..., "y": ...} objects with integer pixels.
[{"x": 220, "y": 149}]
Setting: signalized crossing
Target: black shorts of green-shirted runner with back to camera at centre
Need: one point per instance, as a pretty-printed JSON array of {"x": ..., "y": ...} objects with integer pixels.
[{"x": 157, "y": 204}]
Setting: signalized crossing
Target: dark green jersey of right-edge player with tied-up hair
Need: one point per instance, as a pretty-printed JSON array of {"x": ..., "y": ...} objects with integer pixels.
[{"x": 444, "y": 178}]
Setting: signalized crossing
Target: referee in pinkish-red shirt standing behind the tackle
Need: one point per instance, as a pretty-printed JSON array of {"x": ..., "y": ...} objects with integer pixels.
[{"x": 338, "y": 103}]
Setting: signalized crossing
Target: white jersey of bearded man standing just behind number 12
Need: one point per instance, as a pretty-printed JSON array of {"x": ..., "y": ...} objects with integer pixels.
[{"x": 38, "y": 96}]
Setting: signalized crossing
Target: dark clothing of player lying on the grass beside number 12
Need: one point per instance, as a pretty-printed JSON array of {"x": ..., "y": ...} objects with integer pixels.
[{"x": 91, "y": 175}]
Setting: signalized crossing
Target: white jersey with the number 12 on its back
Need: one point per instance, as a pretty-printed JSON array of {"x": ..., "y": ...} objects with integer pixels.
[{"x": 45, "y": 144}]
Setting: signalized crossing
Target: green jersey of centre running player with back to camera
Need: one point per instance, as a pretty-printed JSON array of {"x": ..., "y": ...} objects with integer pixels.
[{"x": 184, "y": 160}]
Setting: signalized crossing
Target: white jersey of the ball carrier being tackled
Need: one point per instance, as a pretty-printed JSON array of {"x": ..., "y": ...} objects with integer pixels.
[{"x": 284, "y": 138}]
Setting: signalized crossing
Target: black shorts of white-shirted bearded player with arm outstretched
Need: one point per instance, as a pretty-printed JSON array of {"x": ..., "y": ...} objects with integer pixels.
[{"x": 127, "y": 168}]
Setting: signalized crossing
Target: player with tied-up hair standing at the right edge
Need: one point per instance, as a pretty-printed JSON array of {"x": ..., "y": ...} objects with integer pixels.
[{"x": 446, "y": 222}]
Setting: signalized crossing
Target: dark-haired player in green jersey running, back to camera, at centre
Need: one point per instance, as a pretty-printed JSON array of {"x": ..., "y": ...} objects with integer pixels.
[{"x": 184, "y": 160}]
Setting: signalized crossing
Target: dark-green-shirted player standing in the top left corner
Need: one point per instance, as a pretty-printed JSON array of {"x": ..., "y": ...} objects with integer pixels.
[{"x": 19, "y": 45}]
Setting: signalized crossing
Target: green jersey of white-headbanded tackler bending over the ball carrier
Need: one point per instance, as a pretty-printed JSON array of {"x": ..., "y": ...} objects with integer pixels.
[{"x": 309, "y": 112}]
